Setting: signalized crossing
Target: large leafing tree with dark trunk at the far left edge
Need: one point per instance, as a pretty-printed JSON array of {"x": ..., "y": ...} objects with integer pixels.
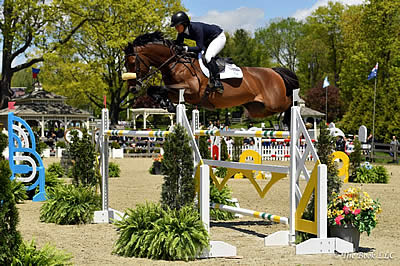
[{"x": 34, "y": 28}]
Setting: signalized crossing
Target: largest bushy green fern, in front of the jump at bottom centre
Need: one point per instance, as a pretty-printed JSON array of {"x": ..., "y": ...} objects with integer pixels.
[{"x": 149, "y": 231}]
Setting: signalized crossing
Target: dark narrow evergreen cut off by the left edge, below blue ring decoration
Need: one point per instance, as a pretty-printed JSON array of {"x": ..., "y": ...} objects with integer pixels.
[{"x": 10, "y": 238}]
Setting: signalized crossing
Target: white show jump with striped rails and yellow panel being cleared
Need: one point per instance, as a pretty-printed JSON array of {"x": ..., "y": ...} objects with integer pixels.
[{"x": 316, "y": 183}]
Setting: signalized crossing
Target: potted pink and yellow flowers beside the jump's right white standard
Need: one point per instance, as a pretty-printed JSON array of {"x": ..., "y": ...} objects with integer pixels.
[{"x": 352, "y": 213}]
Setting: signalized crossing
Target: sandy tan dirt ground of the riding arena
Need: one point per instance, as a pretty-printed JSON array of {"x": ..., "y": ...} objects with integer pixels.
[{"x": 92, "y": 244}]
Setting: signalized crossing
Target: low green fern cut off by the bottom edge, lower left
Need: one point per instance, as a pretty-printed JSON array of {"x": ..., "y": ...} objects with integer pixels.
[{"x": 28, "y": 254}]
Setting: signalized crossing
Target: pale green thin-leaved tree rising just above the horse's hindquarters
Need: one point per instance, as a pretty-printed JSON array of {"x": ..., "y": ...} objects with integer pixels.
[{"x": 279, "y": 40}]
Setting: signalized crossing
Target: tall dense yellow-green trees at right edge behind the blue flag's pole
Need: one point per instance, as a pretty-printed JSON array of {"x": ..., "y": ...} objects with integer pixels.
[{"x": 371, "y": 36}]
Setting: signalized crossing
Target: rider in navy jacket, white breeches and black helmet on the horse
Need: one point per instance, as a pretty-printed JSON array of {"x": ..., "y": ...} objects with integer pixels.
[{"x": 209, "y": 39}]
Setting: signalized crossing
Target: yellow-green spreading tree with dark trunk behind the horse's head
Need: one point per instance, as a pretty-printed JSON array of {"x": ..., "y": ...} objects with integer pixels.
[{"x": 92, "y": 65}]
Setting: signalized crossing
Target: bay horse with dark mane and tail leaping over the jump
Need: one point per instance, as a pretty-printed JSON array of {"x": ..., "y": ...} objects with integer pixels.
[{"x": 262, "y": 91}]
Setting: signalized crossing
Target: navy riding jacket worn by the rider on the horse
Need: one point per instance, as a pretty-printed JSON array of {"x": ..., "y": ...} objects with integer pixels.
[{"x": 200, "y": 32}]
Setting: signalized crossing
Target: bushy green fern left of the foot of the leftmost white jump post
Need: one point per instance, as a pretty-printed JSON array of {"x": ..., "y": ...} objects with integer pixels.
[{"x": 70, "y": 205}]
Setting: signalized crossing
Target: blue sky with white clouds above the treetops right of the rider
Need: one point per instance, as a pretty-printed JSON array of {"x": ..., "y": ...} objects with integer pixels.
[{"x": 252, "y": 14}]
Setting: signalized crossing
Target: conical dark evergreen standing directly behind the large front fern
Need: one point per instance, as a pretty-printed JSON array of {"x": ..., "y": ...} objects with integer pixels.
[{"x": 177, "y": 168}]
